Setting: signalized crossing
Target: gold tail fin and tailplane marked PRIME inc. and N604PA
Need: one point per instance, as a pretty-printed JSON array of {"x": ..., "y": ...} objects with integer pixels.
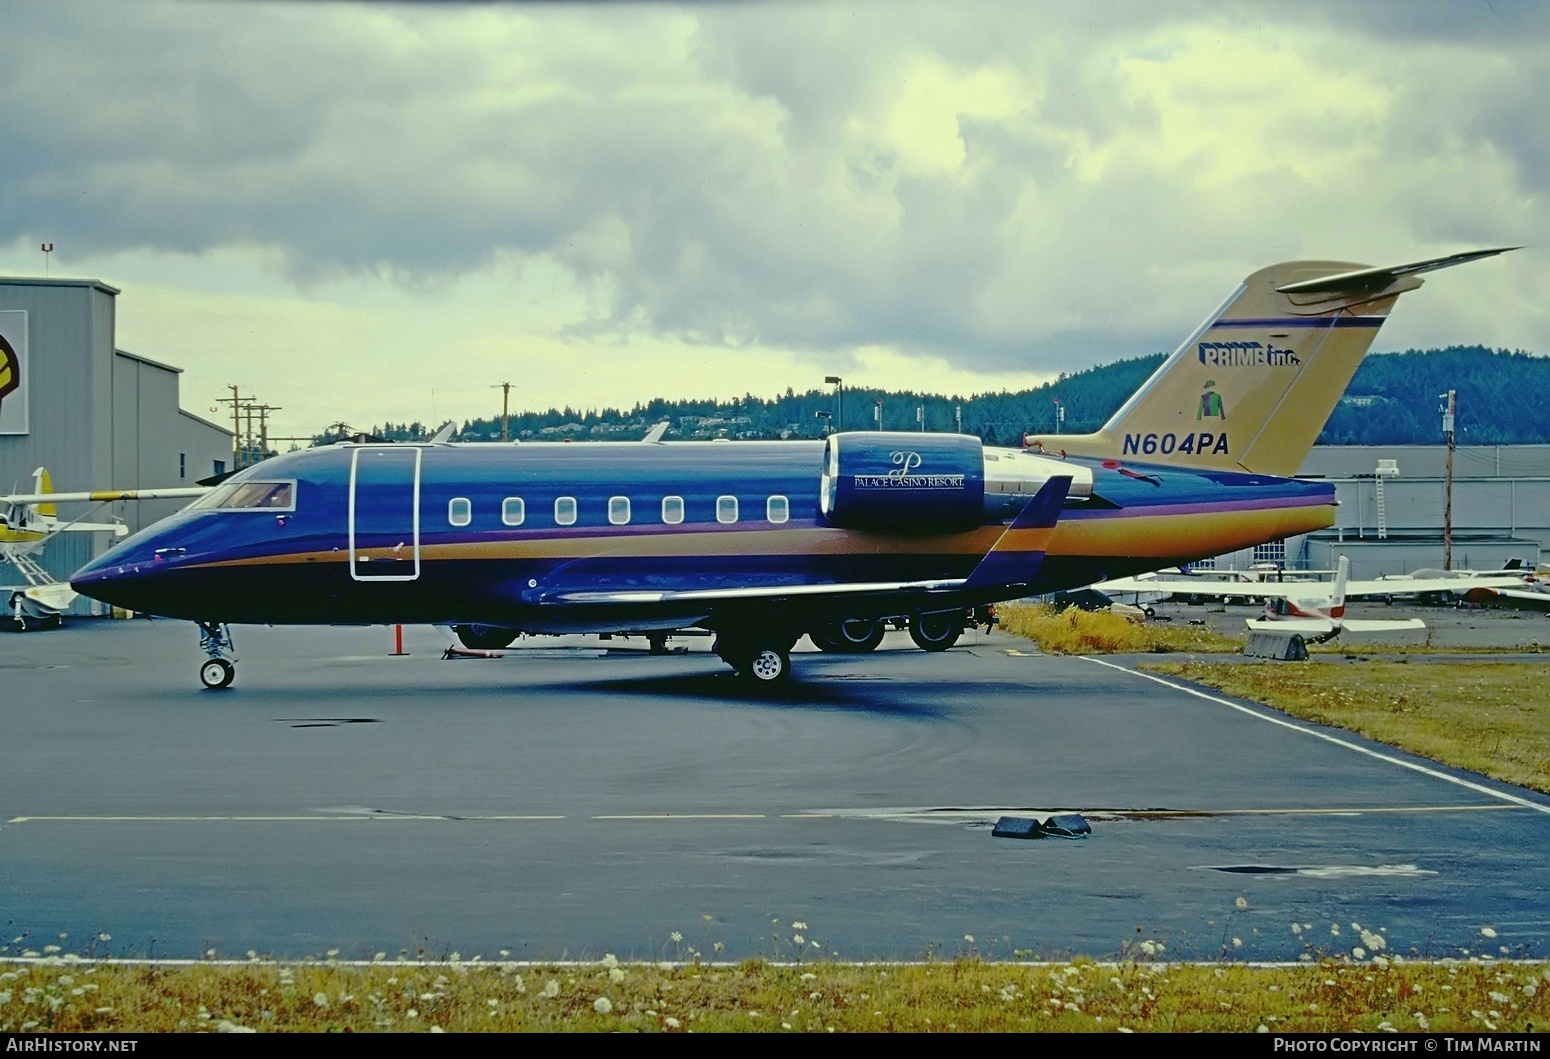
[{"x": 1255, "y": 385}]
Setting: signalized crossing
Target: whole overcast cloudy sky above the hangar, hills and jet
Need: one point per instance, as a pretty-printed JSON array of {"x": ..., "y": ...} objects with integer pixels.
[{"x": 373, "y": 212}]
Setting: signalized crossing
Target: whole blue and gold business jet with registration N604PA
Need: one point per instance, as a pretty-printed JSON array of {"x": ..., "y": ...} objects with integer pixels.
[{"x": 765, "y": 542}]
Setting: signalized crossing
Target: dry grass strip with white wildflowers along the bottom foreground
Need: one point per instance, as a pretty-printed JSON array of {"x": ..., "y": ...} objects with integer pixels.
[{"x": 1331, "y": 995}]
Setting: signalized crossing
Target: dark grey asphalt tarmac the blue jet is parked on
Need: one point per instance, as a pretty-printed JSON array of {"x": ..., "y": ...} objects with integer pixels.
[{"x": 567, "y": 802}]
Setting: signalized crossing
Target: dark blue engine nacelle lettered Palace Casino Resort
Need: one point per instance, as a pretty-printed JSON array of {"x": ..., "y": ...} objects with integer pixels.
[{"x": 897, "y": 481}]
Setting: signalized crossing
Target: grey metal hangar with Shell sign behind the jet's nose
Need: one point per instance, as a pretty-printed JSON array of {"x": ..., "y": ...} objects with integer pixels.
[{"x": 94, "y": 415}]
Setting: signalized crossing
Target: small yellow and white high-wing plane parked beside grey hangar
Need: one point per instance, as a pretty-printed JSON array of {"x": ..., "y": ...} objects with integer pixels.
[{"x": 30, "y": 520}]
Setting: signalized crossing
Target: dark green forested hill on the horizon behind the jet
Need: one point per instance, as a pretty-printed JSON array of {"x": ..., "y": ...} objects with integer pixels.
[{"x": 1393, "y": 401}]
